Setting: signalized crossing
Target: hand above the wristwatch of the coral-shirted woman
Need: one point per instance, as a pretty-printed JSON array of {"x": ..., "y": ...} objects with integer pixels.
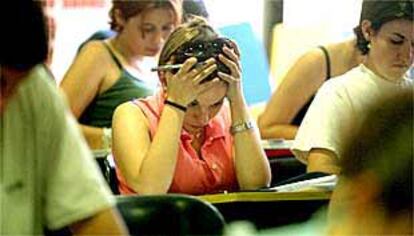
[{"x": 232, "y": 61}]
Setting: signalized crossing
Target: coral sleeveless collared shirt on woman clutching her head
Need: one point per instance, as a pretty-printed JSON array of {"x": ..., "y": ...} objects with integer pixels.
[{"x": 213, "y": 171}]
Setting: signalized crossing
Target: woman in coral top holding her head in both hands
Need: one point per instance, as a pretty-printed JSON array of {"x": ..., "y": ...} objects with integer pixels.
[{"x": 195, "y": 135}]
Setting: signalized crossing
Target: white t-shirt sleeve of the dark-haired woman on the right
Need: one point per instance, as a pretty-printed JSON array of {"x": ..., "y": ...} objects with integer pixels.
[{"x": 326, "y": 123}]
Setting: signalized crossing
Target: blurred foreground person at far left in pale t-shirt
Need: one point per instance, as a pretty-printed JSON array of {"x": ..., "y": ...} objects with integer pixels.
[{"x": 47, "y": 178}]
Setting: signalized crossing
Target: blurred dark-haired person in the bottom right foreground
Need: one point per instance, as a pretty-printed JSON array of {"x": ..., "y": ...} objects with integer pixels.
[{"x": 374, "y": 193}]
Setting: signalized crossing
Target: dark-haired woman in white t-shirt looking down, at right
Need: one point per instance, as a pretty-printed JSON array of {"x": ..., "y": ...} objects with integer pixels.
[{"x": 386, "y": 36}]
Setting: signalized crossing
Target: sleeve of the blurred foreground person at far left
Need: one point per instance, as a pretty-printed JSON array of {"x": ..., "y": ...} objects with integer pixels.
[{"x": 75, "y": 189}]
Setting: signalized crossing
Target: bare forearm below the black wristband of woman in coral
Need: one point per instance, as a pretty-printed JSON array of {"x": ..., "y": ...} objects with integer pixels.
[{"x": 158, "y": 167}]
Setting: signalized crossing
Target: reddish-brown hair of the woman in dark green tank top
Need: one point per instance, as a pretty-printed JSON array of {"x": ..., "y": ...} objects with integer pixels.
[{"x": 131, "y": 8}]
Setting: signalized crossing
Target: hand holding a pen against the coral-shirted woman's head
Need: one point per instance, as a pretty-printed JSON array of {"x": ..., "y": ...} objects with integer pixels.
[{"x": 184, "y": 86}]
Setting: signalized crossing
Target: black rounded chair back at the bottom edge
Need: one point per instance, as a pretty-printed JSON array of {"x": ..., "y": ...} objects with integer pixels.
[{"x": 169, "y": 214}]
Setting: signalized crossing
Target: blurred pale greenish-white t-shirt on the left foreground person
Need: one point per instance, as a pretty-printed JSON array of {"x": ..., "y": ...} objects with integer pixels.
[{"x": 47, "y": 177}]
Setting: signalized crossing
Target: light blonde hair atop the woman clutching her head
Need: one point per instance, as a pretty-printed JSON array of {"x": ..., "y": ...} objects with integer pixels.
[{"x": 196, "y": 28}]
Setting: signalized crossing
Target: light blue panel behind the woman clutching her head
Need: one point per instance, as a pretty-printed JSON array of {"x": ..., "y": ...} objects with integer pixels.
[{"x": 254, "y": 62}]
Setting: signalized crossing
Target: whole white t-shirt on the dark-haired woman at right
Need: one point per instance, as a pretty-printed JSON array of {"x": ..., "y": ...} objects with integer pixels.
[{"x": 339, "y": 108}]
